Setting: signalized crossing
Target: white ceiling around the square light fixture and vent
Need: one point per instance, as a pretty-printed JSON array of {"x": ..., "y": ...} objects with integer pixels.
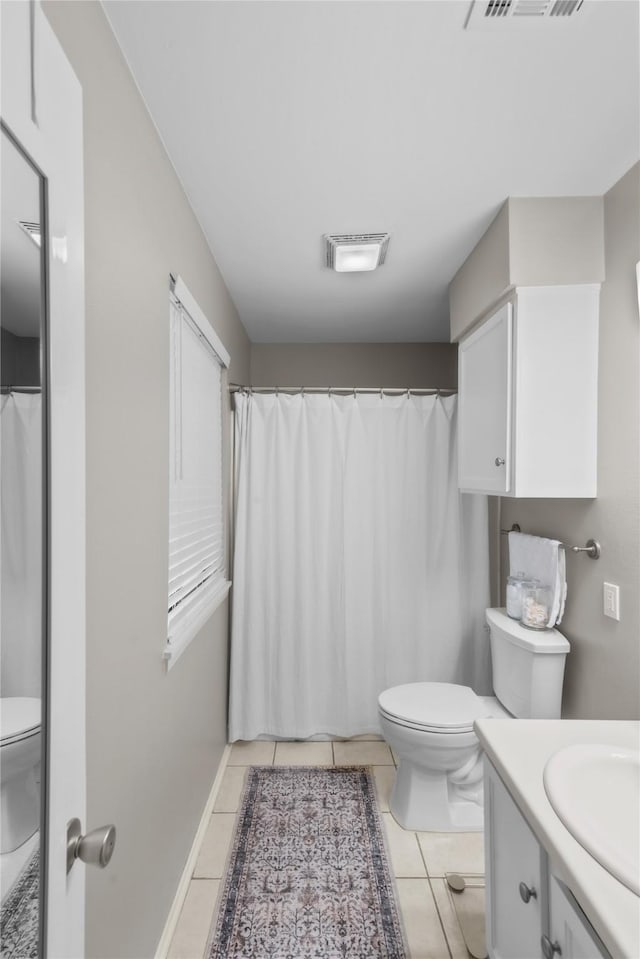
[{"x": 288, "y": 120}]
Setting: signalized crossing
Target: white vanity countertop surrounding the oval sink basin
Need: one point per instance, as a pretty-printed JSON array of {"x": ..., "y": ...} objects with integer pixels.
[{"x": 519, "y": 750}]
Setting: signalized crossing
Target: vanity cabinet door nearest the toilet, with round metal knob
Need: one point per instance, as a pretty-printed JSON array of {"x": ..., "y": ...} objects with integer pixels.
[{"x": 515, "y": 865}]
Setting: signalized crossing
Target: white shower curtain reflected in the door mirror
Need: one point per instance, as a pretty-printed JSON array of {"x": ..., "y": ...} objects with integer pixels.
[{"x": 20, "y": 544}]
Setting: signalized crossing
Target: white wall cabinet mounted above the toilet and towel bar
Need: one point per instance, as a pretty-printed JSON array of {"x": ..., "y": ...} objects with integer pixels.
[{"x": 528, "y": 394}]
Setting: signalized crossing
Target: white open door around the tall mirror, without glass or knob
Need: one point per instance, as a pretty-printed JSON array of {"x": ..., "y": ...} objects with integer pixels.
[{"x": 41, "y": 107}]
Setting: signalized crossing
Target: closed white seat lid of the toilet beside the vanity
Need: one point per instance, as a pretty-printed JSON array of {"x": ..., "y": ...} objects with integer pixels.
[{"x": 433, "y": 707}]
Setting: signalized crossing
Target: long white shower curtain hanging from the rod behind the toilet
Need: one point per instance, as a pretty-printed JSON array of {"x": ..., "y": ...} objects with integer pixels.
[{"x": 358, "y": 564}]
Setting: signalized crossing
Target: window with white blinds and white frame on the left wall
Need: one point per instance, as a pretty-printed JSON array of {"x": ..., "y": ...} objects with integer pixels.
[{"x": 197, "y": 573}]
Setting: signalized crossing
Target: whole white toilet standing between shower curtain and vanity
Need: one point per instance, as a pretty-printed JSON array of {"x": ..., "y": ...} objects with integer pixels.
[{"x": 429, "y": 726}]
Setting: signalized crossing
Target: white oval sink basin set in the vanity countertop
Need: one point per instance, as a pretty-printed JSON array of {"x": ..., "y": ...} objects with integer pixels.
[{"x": 595, "y": 791}]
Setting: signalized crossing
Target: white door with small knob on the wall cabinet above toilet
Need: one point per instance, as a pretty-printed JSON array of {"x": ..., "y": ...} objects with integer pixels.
[{"x": 484, "y": 389}]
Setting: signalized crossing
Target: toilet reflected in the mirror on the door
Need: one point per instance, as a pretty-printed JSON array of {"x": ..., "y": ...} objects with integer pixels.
[{"x": 20, "y": 754}]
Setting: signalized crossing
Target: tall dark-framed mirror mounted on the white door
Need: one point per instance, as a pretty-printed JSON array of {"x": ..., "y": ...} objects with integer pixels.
[{"x": 22, "y": 550}]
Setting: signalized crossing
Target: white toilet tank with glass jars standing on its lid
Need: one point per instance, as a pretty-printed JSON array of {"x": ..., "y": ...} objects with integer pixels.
[{"x": 528, "y": 667}]
